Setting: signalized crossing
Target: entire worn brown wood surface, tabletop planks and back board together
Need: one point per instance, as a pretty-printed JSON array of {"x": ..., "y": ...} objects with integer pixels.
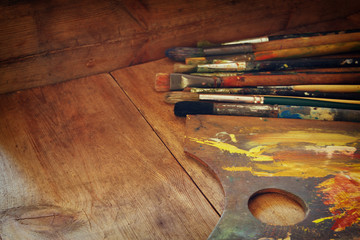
[{"x": 101, "y": 157}]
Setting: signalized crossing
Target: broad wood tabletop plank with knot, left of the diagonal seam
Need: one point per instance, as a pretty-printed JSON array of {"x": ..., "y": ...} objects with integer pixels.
[{"x": 78, "y": 161}]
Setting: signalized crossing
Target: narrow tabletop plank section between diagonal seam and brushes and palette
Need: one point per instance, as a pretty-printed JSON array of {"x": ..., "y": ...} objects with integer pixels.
[{"x": 138, "y": 82}]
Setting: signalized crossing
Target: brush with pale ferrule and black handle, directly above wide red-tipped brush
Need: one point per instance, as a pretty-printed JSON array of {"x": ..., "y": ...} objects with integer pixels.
[{"x": 274, "y": 65}]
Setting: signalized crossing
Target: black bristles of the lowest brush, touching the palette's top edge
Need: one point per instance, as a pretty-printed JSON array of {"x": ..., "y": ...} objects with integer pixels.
[{"x": 181, "y": 109}]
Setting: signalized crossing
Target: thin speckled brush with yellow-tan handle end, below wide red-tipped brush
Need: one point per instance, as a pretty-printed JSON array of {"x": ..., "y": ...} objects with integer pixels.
[{"x": 298, "y": 88}]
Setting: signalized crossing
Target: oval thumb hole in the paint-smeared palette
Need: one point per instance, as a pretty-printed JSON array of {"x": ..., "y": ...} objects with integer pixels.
[{"x": 277, "y": 207}]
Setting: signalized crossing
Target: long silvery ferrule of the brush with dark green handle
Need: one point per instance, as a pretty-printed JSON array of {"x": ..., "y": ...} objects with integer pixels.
[{"x": 232, "y": 98}]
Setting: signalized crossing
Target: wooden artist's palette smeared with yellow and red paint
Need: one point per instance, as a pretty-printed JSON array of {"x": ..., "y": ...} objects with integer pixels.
[{"x": 315, "y": 163}]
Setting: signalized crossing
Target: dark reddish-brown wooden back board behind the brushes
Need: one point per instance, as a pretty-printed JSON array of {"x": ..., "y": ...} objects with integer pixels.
[{"x": 44, "y": 42}]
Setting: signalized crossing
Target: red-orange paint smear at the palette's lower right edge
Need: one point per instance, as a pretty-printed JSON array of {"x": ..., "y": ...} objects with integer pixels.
[{"x": 343, "y": 193}]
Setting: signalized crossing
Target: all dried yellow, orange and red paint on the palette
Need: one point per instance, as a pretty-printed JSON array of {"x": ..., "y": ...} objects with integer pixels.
[{"x": 304, "y": 155}]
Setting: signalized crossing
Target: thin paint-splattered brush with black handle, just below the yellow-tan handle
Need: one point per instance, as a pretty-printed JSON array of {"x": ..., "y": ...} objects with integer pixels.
[{"x": 278, "y": 92}]
